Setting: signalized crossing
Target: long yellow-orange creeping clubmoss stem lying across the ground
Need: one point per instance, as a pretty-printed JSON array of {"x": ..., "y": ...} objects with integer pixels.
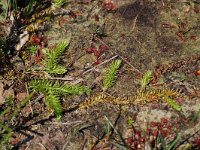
[{"x": 140, "y": 98}]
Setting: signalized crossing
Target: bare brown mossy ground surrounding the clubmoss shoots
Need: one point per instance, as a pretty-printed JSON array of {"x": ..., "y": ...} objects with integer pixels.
[{"x": 162, "y": 36}]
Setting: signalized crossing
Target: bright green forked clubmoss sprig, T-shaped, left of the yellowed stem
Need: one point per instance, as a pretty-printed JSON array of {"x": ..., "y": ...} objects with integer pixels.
[{"x": 53, "y": 92}]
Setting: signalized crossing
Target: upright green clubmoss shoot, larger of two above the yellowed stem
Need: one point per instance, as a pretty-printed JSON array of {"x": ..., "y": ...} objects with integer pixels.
[{"x": 110, "y": 75}]
